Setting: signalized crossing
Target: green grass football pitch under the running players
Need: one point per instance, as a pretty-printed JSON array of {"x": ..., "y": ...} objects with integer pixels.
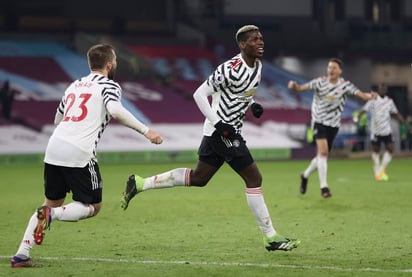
[{"x": 365, "y": 229}]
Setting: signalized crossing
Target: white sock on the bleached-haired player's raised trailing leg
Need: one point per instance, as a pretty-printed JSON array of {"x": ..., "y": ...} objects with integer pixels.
[{"x": 175, "y": 177}]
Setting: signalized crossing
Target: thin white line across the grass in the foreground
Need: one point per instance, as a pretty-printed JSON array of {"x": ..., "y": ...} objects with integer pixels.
[{"x": 224, "y": 264}]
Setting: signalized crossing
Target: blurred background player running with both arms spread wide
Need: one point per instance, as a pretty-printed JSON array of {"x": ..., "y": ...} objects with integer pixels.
[{"x": 330, "y": 93}]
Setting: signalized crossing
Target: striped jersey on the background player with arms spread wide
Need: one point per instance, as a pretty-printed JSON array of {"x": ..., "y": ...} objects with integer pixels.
[{"x": 329, "y": 100}]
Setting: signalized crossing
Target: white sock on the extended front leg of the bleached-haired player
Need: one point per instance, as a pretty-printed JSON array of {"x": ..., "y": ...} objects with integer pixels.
[{"x": 257, "y": 204}]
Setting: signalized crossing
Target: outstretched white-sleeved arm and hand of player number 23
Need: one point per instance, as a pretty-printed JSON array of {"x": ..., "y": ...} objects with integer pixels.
[{"x": 121, "y": 114}]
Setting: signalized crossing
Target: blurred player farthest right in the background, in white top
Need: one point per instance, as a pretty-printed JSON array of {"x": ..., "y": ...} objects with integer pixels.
[{"x": 381, "y": 110}]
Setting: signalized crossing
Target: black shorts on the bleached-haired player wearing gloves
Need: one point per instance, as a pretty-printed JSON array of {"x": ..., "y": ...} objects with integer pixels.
[{"x": 215, "y": 150}]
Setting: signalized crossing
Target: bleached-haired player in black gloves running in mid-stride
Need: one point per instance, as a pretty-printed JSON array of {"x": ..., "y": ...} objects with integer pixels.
[{"x": 231, "y": 86}]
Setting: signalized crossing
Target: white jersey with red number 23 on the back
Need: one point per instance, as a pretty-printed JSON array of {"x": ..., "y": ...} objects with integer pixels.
[{"x": 83, "y": 106}]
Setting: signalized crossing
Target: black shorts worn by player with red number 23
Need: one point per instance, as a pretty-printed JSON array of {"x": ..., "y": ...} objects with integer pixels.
[{"x": 85, "y": 183}]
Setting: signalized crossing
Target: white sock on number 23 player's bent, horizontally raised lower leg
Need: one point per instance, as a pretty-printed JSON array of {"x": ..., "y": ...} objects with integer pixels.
[{"x": 72, "y": 212}]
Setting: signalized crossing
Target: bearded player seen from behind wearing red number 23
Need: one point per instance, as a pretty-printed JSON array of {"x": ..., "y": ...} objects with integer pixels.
[{"x": 70, "y": 162}]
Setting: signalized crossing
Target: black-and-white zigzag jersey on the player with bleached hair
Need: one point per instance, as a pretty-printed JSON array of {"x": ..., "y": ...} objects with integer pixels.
[{"x": 234, "y": 83}]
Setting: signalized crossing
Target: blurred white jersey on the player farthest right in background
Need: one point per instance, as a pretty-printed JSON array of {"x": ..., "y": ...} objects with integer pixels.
[{"x": 380, "y": 110}]
